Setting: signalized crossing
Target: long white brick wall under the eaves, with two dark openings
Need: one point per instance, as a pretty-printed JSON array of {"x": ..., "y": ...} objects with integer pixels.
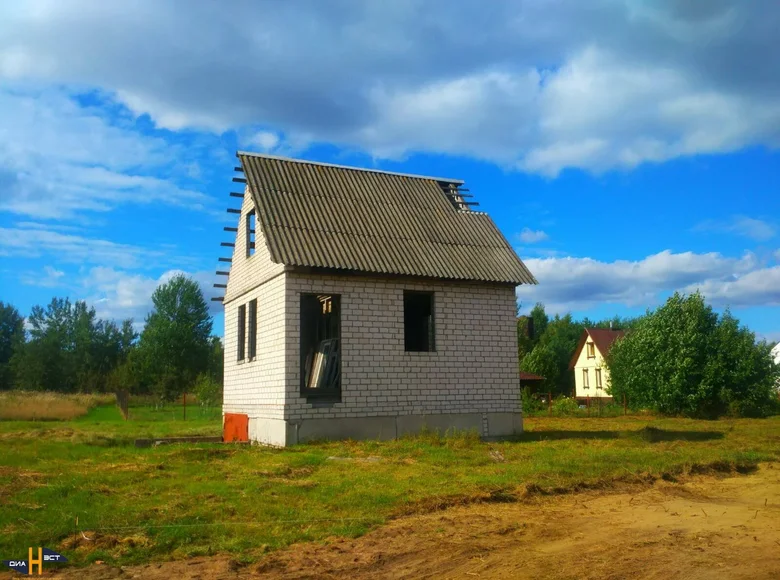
[{"x": 474, "y": 368}]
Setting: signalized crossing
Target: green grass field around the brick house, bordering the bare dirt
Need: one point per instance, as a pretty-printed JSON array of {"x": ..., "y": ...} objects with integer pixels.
[{"x": 136, "y": 505}]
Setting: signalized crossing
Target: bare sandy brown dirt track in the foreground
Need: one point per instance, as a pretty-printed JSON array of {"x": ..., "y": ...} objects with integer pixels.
[{"x": 705, "y": 528}]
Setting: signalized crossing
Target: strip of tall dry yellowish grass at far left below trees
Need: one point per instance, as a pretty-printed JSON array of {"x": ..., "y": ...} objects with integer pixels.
[{"x": 47, "y": 406}]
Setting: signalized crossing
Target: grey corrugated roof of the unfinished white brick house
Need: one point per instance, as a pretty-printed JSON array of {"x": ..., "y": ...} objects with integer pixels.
[{"x": 330, "y": 216}]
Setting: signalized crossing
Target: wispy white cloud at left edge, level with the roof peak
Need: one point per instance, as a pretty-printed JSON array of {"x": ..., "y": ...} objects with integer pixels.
[{"x": 59, "y": 159}]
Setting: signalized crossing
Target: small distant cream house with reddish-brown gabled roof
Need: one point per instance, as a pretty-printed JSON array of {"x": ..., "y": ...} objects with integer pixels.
[{"x": 591, "y": 375}]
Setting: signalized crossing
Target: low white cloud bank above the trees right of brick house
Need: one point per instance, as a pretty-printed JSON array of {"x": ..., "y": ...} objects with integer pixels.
[{"x": 577, "y": 283}]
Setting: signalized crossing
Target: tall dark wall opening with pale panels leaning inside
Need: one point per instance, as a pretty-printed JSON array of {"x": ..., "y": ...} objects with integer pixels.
[{"x": 320, "y": 345}]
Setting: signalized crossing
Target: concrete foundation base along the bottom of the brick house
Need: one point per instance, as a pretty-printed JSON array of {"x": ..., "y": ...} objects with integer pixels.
[{"x": 282, "y": 433}]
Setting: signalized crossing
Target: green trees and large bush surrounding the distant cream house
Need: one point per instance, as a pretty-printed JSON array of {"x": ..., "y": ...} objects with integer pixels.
[{"x": 679, "y": 359}]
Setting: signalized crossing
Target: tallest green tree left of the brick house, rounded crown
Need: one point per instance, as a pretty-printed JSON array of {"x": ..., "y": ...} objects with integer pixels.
[{"x": 174, "y": 346}]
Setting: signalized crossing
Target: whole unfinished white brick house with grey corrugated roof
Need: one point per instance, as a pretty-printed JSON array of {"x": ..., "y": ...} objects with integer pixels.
[{"x": 366, "y": 304}]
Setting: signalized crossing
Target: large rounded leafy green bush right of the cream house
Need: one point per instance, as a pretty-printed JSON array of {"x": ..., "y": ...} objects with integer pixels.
[{"x": 684, "y": 359}]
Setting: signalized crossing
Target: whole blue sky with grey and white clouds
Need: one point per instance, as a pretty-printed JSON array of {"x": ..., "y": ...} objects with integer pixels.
[{"x": 627, "y": 149}]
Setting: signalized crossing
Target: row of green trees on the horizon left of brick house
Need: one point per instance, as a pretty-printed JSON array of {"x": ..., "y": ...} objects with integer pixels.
[{"x": 65, "y": 347}]
